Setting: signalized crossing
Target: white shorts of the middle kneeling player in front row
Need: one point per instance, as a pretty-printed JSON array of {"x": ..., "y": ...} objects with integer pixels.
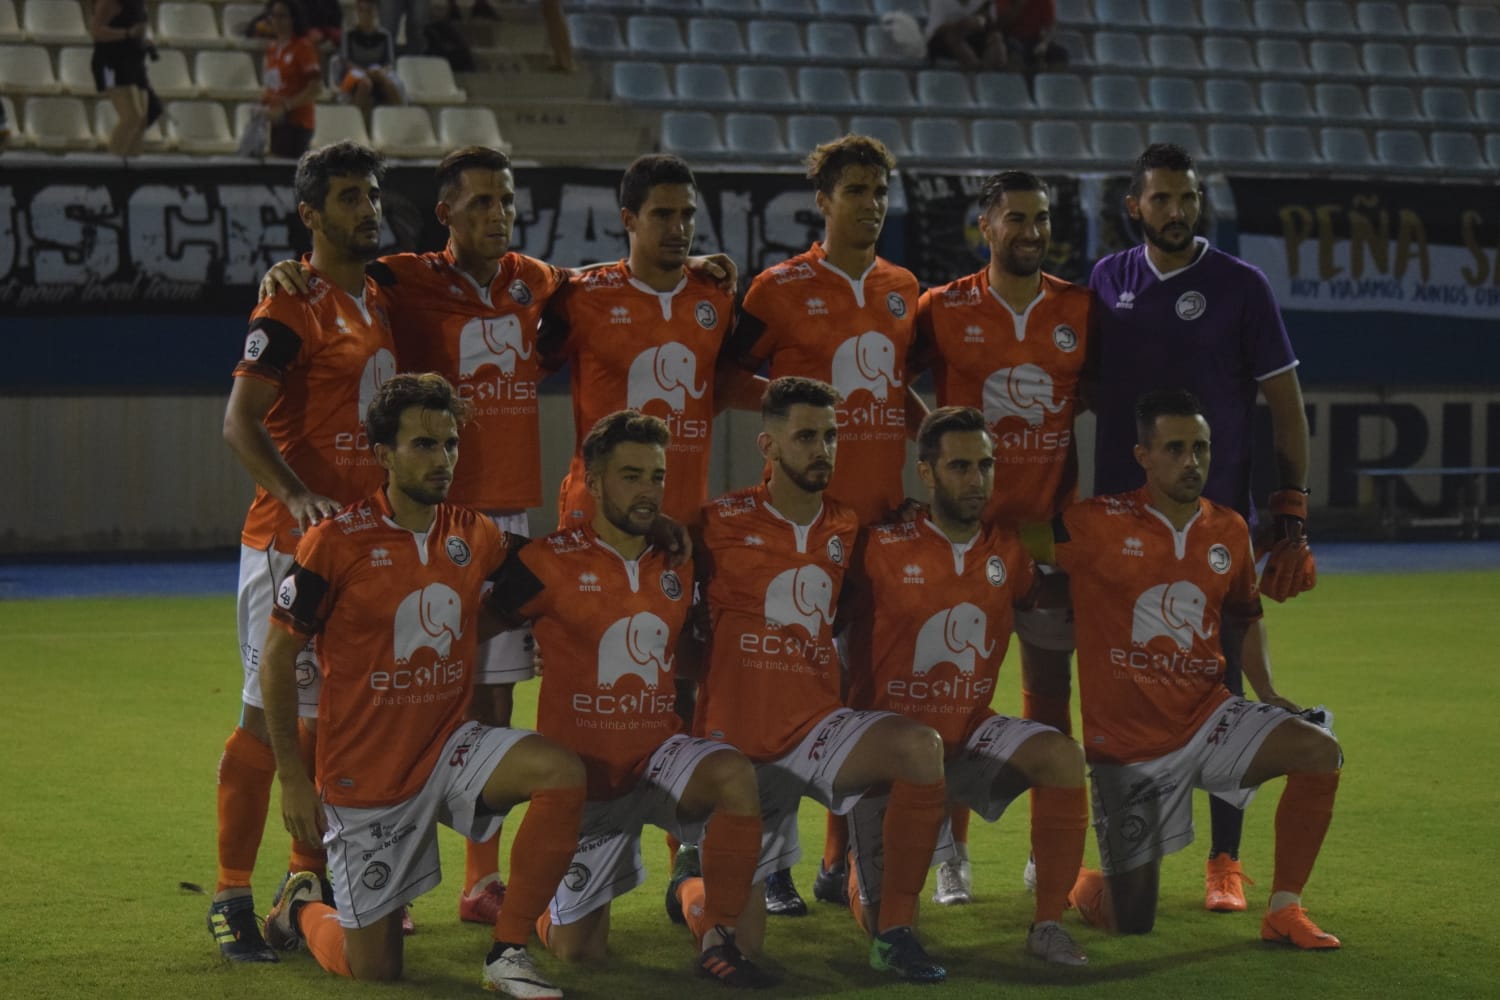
[{"x": 808, "y": 770}]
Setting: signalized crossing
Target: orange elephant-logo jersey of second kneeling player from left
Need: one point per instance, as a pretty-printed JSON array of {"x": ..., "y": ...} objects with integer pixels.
[{"x": 608, "y": 633}]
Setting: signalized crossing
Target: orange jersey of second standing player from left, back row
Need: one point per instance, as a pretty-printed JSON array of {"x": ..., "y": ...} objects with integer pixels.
[{"x": 485, "y": 343}]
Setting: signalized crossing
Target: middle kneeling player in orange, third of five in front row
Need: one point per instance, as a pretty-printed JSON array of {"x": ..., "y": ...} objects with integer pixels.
[{"x": 772, "y": 566}]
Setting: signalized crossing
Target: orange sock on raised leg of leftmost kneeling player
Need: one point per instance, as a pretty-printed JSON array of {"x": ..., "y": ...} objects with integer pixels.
[{"x": 539, "y": 858}]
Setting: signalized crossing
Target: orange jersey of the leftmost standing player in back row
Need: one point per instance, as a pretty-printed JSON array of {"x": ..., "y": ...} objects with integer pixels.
[{"x": 328, "y": 353}]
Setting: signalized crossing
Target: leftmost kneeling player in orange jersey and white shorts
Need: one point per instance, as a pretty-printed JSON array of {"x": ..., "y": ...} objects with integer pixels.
[{"x": 391, "y": 591}]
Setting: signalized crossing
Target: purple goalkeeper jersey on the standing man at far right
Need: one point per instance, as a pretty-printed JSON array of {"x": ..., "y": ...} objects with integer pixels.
[{"x": 1213, "y": 329}]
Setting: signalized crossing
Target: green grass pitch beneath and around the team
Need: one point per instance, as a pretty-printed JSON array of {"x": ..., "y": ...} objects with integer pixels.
[{"x": 115, "y": 714}]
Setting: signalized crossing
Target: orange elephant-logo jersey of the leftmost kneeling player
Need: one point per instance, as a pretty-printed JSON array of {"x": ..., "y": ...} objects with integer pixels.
[{"x": 395, "y": 618}]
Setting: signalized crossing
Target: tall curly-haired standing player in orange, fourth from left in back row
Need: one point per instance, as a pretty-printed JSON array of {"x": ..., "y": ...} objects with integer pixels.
[{"x": 844, "y": 316}]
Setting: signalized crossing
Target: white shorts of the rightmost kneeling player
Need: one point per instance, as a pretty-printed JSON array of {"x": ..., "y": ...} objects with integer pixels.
[{"x": 1144, "y": 812}]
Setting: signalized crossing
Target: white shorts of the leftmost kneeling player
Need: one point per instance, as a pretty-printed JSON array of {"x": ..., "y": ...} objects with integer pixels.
[{"x": 386, "y": 857}]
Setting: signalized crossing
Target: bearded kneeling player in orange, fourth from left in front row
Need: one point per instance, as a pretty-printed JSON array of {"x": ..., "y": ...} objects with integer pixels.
[{"x": 938, "y": 597}]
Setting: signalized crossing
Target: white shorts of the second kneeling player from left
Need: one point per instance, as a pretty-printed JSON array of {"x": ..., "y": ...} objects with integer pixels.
[{"x": 608, "y": 861}]
